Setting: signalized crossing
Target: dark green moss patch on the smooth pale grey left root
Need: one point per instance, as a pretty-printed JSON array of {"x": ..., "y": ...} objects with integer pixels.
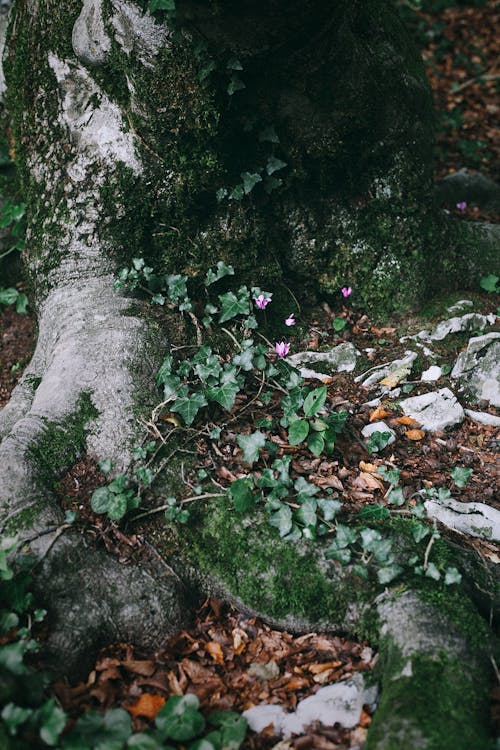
[{"x": 62, "y": 443}]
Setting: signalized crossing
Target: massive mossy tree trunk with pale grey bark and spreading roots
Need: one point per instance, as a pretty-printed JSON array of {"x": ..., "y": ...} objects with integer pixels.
[{"x": 164, "y": 138}]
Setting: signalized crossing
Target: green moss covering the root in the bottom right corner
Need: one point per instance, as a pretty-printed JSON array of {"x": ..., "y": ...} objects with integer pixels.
[{"x": 446, "y": 702}]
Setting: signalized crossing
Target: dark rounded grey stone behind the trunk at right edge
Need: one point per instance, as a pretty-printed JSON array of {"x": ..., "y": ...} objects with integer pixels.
[{"x": 471, "y": 187}]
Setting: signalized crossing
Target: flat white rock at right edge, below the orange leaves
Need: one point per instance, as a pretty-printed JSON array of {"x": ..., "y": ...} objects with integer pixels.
[{"x": 474, "y": 519}]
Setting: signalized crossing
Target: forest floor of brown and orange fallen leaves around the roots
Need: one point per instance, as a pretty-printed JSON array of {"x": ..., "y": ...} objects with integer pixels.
[{"x": 214, "y": 658}]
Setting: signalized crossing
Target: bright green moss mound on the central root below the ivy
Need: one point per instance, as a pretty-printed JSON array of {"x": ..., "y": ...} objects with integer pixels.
[{"x": 268, "y": 574}]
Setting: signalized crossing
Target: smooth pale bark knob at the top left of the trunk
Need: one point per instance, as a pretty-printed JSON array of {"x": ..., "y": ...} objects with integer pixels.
[{"x": 90, "y": 42}]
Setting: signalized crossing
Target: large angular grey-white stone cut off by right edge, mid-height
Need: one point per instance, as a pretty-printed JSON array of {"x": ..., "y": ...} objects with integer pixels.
[{"x": 477, "y": 369}]
